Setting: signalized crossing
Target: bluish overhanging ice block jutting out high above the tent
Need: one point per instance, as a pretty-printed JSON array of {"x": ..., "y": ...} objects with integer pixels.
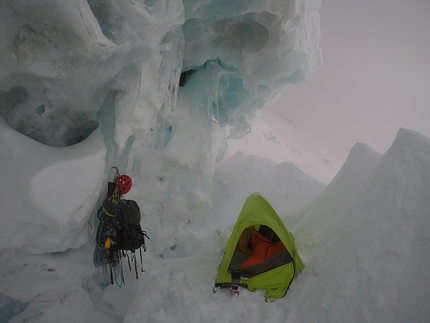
[{"x": 248, "y": 51}]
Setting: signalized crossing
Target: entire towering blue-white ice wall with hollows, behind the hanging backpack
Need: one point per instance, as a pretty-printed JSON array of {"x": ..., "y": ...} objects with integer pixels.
[{"x": 164, "y": 81}]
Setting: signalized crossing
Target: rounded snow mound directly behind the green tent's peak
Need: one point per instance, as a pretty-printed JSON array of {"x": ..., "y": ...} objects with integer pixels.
[{"x": 284, "y": 184}]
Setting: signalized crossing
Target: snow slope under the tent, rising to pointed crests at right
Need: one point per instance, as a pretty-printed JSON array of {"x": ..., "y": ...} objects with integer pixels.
[{"x": 364, "y": 240}]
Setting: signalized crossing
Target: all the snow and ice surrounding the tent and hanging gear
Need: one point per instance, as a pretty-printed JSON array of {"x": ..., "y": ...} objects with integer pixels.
[{"x": 194, "y": 155}]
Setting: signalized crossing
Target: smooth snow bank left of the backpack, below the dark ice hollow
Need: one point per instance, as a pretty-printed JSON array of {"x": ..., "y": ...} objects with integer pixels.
[{"x": 43, "y": 220}]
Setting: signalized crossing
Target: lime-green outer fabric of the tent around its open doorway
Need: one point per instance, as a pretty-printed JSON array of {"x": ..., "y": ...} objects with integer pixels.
[{"x": 258, "y": 211}]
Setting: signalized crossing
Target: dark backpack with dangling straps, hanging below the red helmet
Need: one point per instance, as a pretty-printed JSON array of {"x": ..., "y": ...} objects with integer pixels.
[{"x": 119, "y": 233}]
